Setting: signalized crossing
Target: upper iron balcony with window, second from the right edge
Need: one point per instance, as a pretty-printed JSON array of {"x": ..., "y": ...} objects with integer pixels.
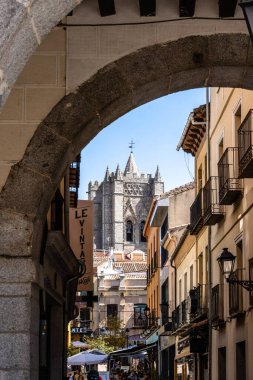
[{"x": 230, "y": 187}]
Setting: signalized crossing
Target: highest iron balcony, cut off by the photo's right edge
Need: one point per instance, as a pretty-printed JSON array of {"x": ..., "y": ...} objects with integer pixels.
[{"x": 246, "y": 147}]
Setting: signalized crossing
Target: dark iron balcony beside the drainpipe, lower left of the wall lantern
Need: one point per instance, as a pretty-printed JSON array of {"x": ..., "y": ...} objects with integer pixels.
[{"x": 217, "y": 302}]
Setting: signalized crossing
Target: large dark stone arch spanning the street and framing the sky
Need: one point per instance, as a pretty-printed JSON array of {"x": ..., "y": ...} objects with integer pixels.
[{"x": 213, "y": 60}]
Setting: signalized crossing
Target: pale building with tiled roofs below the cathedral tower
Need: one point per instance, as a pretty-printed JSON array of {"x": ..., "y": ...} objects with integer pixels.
[{"x": 120, "y": 284}]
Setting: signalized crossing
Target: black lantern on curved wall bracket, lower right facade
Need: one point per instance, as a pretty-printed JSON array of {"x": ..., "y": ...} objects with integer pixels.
[{"x": 226, "y": 262}]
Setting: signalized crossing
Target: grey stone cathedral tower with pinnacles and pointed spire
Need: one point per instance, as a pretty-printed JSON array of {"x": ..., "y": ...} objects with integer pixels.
[{"x": 121, "y": 205}]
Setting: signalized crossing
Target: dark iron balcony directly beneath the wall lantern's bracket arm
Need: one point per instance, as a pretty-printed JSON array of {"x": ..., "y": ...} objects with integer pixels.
[{"x": 235, "y": 295}]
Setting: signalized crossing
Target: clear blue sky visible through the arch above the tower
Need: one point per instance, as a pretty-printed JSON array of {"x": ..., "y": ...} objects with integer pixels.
[{"x": 156, "y": 128}]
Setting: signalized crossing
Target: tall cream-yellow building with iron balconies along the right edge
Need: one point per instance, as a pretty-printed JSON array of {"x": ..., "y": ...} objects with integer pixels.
[{"x": 221, "y": 217}]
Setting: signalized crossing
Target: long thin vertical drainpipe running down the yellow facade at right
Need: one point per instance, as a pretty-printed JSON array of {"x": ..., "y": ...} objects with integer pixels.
[{"x": 209, "y": 239}]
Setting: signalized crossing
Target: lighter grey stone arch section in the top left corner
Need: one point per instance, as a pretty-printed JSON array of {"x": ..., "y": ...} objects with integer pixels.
[{"x": 23, "y": 25}]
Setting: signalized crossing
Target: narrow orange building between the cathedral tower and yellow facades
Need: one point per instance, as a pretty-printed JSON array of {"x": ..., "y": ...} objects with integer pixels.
[{"x": 167, "y": 220}]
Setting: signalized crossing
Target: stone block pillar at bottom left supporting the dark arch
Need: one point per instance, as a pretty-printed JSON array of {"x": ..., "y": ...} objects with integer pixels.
[{"x": 19, "y": 319}]
